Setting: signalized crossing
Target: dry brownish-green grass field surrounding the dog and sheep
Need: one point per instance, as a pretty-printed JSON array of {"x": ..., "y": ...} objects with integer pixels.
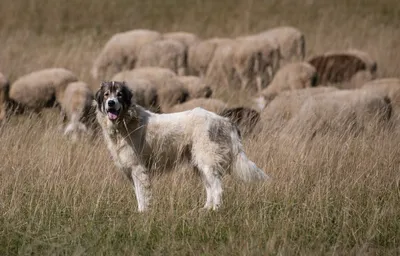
[{"x": 337, "y": 196}]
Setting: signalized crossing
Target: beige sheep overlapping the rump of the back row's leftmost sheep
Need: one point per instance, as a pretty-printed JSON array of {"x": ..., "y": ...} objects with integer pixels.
[{"x": 166, "y": 53}]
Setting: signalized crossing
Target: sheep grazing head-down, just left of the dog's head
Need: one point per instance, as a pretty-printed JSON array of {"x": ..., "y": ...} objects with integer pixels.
[{"x": 76, "y": 106}]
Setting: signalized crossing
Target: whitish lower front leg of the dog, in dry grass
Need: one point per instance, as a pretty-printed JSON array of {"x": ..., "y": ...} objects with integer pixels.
[{"x": 141, "y": 182}]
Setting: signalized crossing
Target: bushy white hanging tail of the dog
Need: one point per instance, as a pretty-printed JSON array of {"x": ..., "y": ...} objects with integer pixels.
[{"x": 243, "y": 168}]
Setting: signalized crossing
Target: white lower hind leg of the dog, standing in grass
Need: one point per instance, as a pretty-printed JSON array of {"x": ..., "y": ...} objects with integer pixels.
[{"x": 213, "y": 185}]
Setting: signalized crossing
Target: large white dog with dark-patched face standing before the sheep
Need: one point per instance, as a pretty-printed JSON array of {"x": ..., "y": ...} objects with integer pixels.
[{"x": 141, "y": 141}]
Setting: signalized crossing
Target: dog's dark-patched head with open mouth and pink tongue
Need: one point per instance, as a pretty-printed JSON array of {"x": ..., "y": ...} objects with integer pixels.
[{"x": 113, "y": 99}]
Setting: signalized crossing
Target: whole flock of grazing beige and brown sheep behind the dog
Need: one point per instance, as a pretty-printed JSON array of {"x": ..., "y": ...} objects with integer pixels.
[{"x": 178, "y": 71}]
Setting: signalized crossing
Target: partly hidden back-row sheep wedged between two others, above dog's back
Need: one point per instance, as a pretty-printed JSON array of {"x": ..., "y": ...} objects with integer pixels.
[{"x": 201, "y": 53}]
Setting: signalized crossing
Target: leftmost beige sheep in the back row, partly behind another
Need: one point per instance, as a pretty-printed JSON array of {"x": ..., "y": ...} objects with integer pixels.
[{"x": 121, "y": 52}]
